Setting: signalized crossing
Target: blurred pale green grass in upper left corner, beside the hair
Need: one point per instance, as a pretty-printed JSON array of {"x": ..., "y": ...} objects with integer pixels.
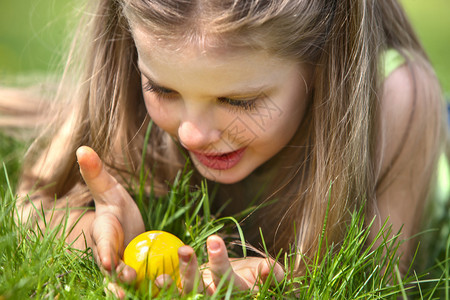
[{"x": 33, "y": 34}]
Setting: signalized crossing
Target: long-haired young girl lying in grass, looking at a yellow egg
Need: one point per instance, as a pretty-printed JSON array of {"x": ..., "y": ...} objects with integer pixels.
[{"x": 309, "y": 104}]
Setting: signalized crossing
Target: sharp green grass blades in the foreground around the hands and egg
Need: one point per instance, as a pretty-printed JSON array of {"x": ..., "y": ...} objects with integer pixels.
[{"x": 41, "y": 265}]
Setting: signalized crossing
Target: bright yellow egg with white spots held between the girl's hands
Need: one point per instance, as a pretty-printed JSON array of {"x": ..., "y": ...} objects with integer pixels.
[{"x": 151, "y": 254}]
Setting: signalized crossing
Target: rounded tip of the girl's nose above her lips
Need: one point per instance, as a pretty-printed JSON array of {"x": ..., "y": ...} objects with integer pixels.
[{"x": 196, "y": 136}]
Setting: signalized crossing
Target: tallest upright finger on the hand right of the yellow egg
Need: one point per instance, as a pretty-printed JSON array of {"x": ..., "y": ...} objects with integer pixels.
[{"x": 219, "y": 263}]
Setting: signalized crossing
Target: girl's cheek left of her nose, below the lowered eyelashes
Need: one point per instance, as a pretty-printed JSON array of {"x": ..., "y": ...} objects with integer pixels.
[{"x": 163, "y": 114}]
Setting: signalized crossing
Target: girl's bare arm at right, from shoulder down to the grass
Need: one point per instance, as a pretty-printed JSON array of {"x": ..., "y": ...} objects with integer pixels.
[{"x": 407, "y": 149}]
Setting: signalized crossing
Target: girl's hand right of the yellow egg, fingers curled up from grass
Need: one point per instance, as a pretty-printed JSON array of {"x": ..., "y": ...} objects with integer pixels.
[{"x": 244, "y": 273}]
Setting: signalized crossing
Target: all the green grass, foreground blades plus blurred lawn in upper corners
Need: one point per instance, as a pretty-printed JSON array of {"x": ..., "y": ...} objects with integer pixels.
[{"x": 40, "y": 265}]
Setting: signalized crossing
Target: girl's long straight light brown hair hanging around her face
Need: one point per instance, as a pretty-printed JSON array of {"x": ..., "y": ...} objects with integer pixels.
[{"x": 331, "y": 160}]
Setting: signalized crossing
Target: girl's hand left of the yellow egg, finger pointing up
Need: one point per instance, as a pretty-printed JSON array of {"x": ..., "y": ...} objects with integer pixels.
[{"x": 117, "y": 218}]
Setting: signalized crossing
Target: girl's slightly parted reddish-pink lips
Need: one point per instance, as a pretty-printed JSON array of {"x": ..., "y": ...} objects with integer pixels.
[{"x": 223, "y": 161}]
